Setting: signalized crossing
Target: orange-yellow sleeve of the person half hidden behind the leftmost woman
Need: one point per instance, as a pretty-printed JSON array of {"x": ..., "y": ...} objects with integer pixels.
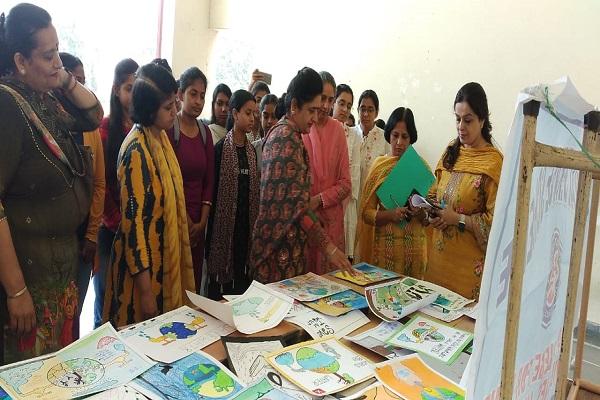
[{"x": 94, "y": 141}]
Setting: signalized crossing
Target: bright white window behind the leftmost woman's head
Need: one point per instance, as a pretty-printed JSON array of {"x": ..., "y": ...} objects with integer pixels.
[{"x": 102, "y": 34}]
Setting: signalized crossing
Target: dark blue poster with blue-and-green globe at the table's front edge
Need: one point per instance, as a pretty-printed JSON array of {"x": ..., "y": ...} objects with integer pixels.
[{"x": 197, "y": 376}]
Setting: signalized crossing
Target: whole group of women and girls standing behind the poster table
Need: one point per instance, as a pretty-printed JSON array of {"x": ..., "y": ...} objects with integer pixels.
[{"x": 268, "y": 189}]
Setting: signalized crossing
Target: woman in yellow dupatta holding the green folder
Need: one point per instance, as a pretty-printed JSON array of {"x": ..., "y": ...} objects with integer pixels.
[{"x": 392, "y": 239}]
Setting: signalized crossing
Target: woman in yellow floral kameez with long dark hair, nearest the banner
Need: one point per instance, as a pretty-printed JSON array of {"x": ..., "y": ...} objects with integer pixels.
[{"x": 467, "y": 180}]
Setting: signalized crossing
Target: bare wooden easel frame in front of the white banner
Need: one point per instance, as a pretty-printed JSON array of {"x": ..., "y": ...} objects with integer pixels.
[{"x": 535, "y": 154}]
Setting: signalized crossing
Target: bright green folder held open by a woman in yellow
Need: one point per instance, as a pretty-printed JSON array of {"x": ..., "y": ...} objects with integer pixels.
[{"x": 411, "y": 174}]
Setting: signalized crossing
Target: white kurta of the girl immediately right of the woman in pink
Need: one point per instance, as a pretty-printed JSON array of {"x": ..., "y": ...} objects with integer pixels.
[{"x": 354, "y": 140}]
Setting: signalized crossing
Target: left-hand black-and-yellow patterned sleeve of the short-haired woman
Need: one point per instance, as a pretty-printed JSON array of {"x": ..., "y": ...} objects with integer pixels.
[{"x": 136, "y": 209}]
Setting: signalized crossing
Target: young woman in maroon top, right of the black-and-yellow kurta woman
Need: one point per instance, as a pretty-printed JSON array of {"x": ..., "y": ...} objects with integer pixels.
[{"x": 193, "y": 145}]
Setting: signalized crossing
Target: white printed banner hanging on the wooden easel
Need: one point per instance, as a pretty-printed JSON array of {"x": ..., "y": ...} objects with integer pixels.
[{"x": 549, "y": 238}]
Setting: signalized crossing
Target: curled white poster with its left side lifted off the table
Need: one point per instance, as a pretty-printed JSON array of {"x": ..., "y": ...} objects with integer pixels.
[{"x": 258, "y": 309}]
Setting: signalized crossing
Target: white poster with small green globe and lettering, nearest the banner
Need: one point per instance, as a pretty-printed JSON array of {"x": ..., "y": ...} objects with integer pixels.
[{"x": 432, "y": 338}]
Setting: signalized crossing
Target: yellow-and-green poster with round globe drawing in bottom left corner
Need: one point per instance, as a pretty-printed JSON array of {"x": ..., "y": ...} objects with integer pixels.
[{"x": 97, "y": 362}]
